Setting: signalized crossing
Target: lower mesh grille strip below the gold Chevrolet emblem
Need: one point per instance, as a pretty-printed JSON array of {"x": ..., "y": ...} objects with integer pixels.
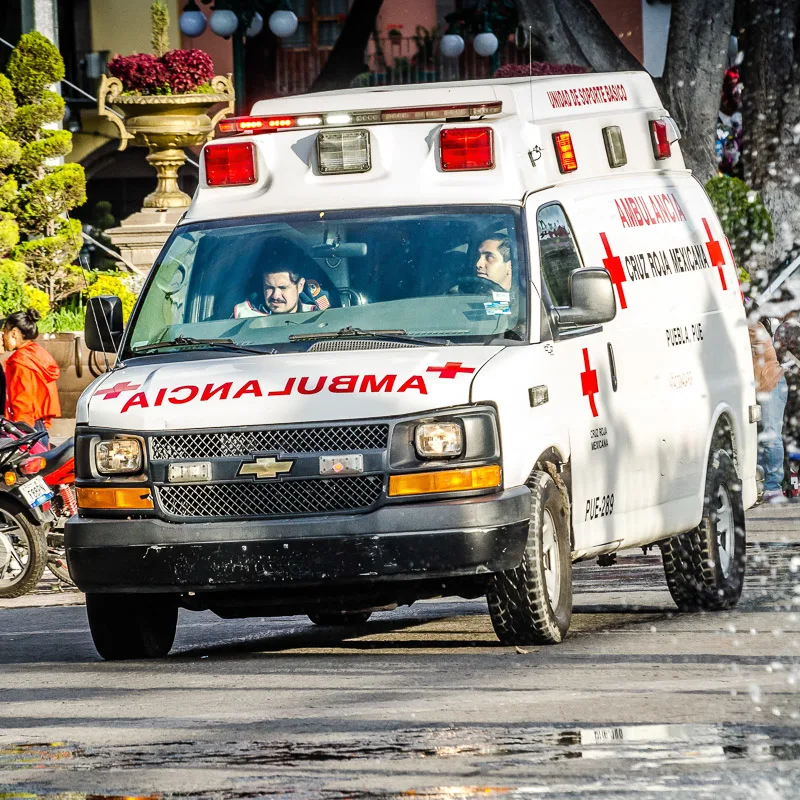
[{"x": 278, "y": 499}]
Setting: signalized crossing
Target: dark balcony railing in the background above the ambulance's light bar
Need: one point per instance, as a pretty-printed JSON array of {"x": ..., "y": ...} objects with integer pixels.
[{"x": 394, "y": 61}]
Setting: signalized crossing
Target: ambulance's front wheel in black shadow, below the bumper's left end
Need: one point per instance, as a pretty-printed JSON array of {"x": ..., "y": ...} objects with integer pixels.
[{"x": 132, "y": 625}]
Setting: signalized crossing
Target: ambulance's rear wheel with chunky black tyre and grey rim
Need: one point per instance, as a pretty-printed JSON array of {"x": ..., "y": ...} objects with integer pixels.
[{"x": 705, "y": 567}]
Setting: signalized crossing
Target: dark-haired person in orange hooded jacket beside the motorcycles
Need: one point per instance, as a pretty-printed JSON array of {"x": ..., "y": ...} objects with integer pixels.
[{"x": 31, "y": 374}]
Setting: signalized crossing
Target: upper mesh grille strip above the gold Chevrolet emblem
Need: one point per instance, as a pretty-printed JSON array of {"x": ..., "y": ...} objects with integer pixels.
[{"x": 278, "y": 440}]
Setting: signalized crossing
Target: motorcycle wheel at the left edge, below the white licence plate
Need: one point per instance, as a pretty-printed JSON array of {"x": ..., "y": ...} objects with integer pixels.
[{"x": 23, "y": 554}]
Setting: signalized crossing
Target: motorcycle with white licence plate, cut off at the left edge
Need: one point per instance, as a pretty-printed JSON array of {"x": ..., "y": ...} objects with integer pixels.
[{"x": 25, "y": 512}]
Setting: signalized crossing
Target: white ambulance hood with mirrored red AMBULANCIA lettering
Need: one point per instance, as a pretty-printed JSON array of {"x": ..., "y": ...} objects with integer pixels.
[{"x": 233, "y": 391}]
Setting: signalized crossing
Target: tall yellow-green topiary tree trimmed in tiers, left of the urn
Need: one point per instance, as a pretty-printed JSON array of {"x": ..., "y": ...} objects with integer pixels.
[{"x": 45, "y": 193}]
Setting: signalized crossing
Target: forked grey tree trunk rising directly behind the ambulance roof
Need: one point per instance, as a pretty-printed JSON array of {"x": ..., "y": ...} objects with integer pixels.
[{"x": 573, "y": 32}]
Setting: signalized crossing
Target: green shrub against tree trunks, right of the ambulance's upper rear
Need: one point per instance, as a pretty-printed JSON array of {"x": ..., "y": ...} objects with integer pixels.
[{"x": 744, "y": 218}]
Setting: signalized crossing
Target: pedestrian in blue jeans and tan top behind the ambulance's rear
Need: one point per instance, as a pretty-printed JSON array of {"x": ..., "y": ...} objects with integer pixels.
[{"x": 771, "y": 392}]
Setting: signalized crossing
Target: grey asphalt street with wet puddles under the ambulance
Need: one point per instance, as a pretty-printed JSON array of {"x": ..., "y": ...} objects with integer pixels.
[{"x": 640, "y": 701}]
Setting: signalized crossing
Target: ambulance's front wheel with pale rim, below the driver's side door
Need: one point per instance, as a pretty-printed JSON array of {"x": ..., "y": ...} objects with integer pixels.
[{"x": 532, "y": 604}]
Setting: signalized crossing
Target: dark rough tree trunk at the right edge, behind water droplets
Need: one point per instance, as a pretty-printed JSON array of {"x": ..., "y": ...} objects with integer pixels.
[{"x": 771, "y": 110}]
